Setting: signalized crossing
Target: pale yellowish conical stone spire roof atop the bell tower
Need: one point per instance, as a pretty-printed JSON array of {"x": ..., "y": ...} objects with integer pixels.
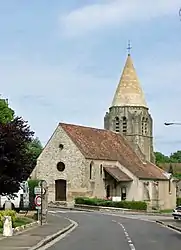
[{"x": 129, "y": 91}]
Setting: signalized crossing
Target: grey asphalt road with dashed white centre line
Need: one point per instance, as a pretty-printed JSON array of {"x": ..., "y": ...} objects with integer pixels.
[{"x": 97, "y": 231}]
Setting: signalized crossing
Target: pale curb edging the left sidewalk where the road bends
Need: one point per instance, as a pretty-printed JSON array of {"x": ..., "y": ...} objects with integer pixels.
[{"x": 52, "y": 237}]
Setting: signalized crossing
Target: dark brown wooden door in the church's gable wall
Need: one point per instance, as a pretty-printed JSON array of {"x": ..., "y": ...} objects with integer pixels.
[{"x": 60, "y": 190}]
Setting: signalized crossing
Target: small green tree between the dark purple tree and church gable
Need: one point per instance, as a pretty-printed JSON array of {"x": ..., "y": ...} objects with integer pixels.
[{"x": 35, "y": 147}]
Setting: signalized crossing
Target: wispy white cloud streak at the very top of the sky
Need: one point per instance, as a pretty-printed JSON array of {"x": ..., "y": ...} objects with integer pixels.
[{"x": 115, "y": 12}]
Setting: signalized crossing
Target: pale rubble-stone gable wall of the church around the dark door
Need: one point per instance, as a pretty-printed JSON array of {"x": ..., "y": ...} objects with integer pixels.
[{"x": 73, "y": 159}]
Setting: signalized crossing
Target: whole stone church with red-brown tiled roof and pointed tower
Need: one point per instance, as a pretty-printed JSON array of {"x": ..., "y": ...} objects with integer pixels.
[{"x": 116, "y": 162}]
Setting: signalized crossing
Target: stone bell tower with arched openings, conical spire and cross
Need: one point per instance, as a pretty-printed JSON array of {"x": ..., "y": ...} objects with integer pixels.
[{"x": 129, "y": 113}]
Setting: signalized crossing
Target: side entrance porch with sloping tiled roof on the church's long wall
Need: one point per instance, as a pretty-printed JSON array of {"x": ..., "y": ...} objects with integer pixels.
[{"x": 116, "y": 183}]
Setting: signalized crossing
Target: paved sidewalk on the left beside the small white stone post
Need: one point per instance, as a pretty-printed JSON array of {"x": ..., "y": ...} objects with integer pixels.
[{"x": 33, "y": 236}]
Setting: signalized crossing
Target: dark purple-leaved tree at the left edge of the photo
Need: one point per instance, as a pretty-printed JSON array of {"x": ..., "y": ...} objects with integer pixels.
[{"x": 15, "y": 157}]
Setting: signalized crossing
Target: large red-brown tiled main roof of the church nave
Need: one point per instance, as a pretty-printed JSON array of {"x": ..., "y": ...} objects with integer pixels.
[{"x": 100, "y": 144}]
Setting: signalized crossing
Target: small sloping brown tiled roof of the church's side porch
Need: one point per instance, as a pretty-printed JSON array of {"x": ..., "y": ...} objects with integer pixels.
[{"x": 116, "y": 173}]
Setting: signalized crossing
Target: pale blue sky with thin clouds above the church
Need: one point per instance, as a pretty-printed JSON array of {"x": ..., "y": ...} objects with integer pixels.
[{"x": 60, "y": 61}]
